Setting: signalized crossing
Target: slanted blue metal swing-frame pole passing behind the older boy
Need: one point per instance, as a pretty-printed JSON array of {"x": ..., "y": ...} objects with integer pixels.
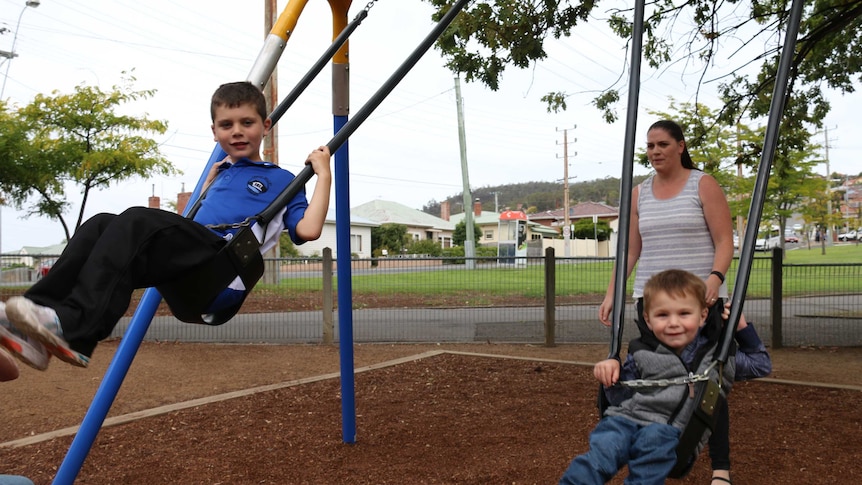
[{"x": 118, "y": 368}]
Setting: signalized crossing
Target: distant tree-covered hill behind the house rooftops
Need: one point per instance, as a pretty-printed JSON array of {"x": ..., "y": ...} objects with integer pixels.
[{"x": 537, "y": 196}]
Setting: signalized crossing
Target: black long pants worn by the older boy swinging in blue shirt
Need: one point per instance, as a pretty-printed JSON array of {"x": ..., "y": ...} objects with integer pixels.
[{"x": 90, "y": 286}]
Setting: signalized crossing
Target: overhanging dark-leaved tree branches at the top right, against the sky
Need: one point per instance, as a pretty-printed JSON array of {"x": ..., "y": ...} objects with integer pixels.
[{"x": 491, "y": 35}]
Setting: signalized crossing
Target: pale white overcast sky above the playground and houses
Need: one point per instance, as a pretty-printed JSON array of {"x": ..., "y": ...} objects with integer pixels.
[{"x": 407, "y": 151}]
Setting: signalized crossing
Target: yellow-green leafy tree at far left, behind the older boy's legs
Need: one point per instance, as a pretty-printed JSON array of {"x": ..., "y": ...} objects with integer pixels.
[{"x": 79, "y": 139}]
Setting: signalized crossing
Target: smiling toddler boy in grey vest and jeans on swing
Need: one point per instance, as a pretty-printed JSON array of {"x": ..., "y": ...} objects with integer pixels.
[{"x": 642, "y": 426}]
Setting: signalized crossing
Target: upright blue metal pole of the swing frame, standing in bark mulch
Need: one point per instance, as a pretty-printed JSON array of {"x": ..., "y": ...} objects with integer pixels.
[{"x": 345, "y": 287}]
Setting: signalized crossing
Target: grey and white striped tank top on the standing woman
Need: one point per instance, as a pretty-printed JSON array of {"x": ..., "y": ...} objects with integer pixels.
[{"x": 674, "y": 234}]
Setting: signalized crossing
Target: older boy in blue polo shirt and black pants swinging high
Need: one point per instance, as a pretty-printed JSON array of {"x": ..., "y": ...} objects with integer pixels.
[{"x": 79, "y": 302}]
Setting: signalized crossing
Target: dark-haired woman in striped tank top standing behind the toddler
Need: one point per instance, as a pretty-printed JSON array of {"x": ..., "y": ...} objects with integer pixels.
[{"x": 680, "y": 219}]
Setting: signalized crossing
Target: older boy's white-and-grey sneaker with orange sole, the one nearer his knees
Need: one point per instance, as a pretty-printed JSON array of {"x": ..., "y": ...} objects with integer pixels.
[{"x": 41, "y": 323}]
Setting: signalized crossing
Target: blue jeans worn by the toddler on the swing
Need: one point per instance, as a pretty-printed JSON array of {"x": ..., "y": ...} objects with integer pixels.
[{"x": 649, "y": 451}]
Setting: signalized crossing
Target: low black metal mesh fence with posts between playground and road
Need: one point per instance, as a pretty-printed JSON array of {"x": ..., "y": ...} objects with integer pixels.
[{"x": 540, "y": 300}]
